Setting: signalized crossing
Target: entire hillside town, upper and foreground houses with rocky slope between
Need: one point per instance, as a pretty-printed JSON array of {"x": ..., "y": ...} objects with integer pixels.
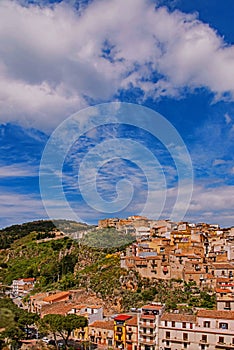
[{"x": 173, "y": 287}]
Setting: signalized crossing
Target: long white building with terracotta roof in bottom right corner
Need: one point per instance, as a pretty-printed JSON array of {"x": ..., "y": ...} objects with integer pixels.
[{"x": 208, "y": 330}]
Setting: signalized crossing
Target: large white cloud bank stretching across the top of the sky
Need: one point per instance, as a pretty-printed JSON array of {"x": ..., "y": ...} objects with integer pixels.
[{"x": 52, "y": 58}]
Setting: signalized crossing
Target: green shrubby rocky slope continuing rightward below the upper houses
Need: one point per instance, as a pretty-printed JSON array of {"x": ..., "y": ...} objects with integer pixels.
[{"x": 65, "y": 264}]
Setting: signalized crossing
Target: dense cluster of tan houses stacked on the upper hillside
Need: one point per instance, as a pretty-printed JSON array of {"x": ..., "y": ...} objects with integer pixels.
[{"x": 192, "y": 252}]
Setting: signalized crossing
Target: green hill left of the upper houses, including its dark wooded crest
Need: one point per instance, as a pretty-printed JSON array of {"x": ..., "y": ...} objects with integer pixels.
[{"x": 61, "y": 262}]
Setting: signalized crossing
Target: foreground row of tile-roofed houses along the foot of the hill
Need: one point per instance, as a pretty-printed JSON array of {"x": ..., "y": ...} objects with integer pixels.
[{"x": 146, "y": 328}]
